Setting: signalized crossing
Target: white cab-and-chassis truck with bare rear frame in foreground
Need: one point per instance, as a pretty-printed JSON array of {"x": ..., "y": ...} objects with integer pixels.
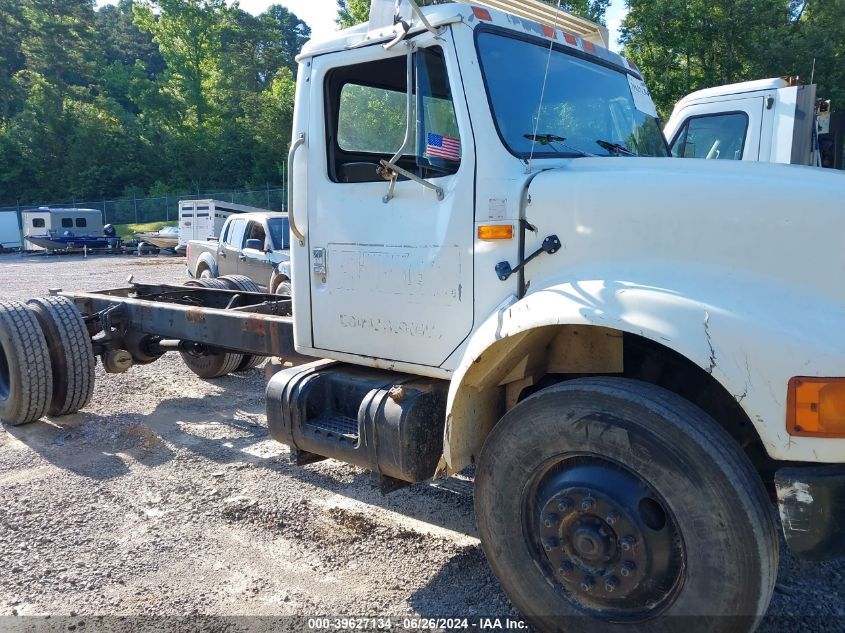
[{"x": 496, "y": 263}]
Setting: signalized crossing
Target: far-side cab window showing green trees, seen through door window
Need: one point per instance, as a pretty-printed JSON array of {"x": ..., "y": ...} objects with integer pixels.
[{"x": 370, "y": 120}]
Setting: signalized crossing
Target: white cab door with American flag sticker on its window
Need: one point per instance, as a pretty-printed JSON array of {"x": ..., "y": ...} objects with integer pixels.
[{"x": 391, "y": 277}]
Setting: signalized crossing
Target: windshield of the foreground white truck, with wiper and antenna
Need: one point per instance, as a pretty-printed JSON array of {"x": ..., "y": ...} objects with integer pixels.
[{"x": 588, "y": 109}]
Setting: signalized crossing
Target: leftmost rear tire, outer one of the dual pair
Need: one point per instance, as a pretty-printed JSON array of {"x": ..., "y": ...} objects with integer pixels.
[{"x": 26, "y": 381}]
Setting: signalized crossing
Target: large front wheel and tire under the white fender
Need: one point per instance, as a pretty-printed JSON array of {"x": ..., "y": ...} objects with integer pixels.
[{"x": 621, "y": 501}]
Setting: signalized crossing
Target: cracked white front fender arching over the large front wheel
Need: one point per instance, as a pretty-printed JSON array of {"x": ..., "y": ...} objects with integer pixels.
[{"x": 752, "y": 340}]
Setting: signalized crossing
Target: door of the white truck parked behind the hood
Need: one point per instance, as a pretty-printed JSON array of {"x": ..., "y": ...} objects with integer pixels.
[{"x": 723, "y": 130}]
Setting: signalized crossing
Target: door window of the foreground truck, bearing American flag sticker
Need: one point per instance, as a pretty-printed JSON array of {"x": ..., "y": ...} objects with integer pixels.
[{"x": 367, "y": 115}]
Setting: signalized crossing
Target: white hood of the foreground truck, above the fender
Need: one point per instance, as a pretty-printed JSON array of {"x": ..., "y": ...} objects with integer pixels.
[{"x": 657, "y": 218}]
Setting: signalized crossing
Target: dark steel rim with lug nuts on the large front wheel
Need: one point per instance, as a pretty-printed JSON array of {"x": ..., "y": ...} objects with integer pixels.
[{"x": 604, "y": 538}]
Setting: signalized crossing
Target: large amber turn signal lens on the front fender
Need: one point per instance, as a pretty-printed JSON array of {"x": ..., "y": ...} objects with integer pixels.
[{"x": 815, "y": 407}]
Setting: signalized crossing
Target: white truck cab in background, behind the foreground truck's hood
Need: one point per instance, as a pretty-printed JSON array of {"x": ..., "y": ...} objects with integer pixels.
[{"x": 769, "y": 120}]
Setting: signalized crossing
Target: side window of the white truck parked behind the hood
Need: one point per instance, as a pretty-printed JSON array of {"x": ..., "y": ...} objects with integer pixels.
[{"x": 715, "y": 136}]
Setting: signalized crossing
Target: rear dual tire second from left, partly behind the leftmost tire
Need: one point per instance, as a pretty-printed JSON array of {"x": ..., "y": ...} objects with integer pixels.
[{"x": 70, "y": 353}]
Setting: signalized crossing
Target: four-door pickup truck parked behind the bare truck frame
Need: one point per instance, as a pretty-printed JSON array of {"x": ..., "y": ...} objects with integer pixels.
[{"x": 255, "y": 245}]
